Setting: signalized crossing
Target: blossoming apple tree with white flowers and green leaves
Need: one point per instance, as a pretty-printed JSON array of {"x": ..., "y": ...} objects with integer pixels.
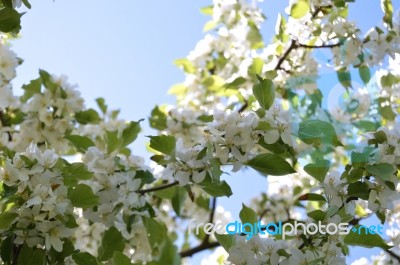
[{"x": 244, "y": 103}]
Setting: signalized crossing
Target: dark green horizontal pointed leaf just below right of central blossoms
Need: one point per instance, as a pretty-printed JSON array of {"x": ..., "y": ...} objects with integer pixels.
[{"x": 271, "y": 164}]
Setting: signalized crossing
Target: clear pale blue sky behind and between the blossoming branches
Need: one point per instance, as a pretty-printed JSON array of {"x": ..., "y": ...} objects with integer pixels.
[{"x": 124, "y": 51}]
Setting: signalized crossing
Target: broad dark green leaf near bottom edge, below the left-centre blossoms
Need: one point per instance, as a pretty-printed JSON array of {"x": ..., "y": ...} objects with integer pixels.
[{"x": 111, "y": 241}]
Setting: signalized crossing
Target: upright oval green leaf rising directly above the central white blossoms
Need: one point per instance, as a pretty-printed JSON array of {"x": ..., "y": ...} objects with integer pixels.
[{"x": 264, "y": 92}]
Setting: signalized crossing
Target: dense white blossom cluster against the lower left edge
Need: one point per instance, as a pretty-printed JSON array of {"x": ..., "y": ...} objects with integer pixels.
[{"x": 43, "y": 209}]
